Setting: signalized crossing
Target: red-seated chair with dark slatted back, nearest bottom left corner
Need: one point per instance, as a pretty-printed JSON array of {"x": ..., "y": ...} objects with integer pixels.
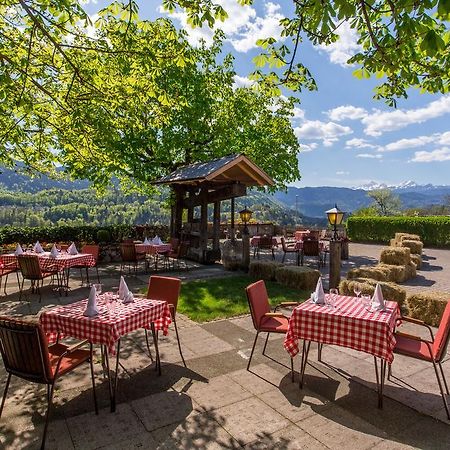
[{"x": 26, "y": 354}]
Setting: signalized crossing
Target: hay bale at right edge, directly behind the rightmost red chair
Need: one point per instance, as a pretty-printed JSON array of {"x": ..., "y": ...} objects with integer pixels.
[{"x": 428, "y": 306}]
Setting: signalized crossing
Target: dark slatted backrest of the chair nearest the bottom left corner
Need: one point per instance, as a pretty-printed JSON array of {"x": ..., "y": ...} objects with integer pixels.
[{"x": 24, "y": 349}]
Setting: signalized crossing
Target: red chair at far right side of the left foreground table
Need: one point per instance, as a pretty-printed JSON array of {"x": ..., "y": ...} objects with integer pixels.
[{"x": 166, "y": 289}]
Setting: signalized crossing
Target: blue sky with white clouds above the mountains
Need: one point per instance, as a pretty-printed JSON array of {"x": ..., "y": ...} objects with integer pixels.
[{"x": 348, "y": 139}]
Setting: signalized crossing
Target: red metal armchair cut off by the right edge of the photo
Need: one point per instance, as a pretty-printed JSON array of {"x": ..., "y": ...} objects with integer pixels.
[{"x": 433, "y": 350}]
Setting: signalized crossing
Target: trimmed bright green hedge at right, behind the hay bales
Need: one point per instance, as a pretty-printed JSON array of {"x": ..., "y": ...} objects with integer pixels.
[{"x": 434, "y": 230}]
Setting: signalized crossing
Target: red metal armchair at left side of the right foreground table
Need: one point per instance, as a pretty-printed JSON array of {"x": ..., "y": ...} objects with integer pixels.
[{"x": 264, "y": 320}]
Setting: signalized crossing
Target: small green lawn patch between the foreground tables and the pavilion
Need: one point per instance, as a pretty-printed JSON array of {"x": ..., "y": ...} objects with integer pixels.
[{"x": 219, "y": 298}]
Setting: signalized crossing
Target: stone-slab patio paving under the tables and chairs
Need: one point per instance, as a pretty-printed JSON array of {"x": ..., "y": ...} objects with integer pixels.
[{"x": 216, "y": 404}]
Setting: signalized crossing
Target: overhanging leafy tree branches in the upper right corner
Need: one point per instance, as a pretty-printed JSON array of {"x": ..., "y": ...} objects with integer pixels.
[{"x": 404, "y": 43}]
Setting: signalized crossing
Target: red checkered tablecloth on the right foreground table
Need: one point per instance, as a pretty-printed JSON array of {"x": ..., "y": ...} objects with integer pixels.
[{"x": 347, "y": 325}]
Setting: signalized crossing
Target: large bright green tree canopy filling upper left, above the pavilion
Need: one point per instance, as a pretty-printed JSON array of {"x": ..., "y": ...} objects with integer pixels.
[{"x": 133, "y": 101}]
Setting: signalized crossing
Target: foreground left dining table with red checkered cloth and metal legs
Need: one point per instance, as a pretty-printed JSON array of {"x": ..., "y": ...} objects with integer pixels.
[{"x": 115, "y": 319}]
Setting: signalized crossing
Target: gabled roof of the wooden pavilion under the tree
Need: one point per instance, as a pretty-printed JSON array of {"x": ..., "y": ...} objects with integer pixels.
[{"x": 225, "y": 170}]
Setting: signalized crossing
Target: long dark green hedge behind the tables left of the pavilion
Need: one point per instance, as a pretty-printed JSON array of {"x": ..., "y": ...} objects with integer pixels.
[{"x": 85, "y": 233}]
